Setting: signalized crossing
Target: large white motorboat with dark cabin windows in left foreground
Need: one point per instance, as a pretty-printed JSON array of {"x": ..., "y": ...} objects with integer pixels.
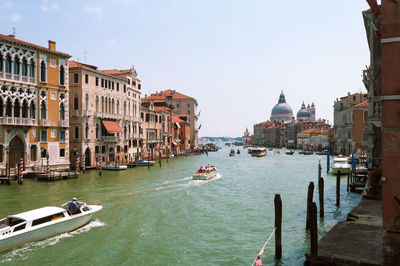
[{"x": 34, "y": 225}]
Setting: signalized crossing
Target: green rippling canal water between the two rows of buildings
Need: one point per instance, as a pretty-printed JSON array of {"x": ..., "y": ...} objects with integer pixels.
[{"x": 162, "y": 217}]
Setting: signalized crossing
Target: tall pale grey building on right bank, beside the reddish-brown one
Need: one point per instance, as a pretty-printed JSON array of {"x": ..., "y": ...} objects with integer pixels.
[{"x": 343, "y": 122}]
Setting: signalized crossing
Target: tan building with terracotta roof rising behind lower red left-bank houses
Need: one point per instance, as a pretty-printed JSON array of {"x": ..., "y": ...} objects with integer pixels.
[{"x": 182, "y": 104}]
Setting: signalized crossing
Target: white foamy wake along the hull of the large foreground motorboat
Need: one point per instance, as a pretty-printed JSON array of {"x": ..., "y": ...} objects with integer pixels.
[{"x": 24, "y": 251}]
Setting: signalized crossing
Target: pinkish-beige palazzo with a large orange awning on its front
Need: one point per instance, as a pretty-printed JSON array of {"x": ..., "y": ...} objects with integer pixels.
[{"x": 97, "y": 115}]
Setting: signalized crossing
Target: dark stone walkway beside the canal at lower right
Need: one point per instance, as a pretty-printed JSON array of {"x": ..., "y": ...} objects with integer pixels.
[{"x": 358, "y": 241}]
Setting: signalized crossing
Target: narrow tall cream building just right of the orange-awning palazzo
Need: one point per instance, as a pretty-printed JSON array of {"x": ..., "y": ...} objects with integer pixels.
[{"x": 131, "y": 121}]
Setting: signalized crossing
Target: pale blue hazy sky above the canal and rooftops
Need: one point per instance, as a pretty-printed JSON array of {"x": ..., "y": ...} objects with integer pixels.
[{"x": 233, "y": 56}]
